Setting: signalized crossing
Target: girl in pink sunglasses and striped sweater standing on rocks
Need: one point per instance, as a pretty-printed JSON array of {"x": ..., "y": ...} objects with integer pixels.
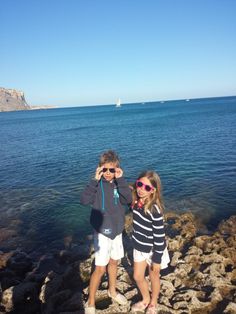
[{"x": 148, "y": 239}]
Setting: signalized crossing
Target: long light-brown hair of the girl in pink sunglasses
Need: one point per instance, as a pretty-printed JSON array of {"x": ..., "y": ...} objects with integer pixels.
[{"x": 155, "y": 197}]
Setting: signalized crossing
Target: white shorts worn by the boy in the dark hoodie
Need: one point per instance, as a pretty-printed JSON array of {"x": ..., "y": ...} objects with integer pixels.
[{"x": 106, "y": 248}]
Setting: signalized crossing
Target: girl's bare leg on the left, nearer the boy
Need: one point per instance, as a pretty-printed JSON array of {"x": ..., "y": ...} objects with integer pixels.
[{"x": 139, "y": 277}]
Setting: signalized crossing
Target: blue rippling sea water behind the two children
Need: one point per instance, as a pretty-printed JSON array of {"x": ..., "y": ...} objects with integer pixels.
[{"x": 48, "y": 156}]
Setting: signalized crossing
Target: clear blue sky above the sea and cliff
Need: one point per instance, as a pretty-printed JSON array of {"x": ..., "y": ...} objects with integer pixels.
[{"x": 72, "y": 52}]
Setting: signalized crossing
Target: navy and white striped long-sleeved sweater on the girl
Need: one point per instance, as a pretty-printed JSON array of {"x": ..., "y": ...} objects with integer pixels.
[{"x": 148, "y": 232}]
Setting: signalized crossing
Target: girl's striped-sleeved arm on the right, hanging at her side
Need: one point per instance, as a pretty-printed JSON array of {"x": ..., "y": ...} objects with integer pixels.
[{"x": 158, "y": 237}]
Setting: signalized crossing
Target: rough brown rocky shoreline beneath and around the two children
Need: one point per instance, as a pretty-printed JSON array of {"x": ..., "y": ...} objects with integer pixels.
[{"x": 201, "y": 278}]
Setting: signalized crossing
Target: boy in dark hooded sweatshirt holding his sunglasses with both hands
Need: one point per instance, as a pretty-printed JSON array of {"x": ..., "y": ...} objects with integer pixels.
[{"x": 107, "y": 193}]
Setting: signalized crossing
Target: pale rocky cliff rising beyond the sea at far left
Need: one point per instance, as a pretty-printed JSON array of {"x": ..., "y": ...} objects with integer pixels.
[{"x": 11, "y": 100}]
